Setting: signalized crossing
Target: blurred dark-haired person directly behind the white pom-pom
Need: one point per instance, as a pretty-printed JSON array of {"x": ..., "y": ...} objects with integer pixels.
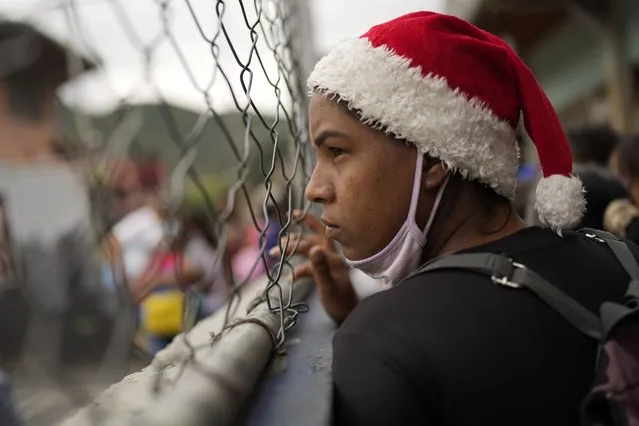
[{"x": 591, "y": 148}]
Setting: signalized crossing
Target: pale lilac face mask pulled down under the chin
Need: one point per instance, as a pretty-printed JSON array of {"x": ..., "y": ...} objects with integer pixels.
[{"x": 402, "y": 255}]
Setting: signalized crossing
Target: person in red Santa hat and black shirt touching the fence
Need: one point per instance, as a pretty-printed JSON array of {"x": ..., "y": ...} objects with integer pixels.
[{"x": 413, "y": 126}]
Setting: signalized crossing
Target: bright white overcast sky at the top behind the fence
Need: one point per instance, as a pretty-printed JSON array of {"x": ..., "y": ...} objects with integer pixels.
[{"x": 181, "y": 67}]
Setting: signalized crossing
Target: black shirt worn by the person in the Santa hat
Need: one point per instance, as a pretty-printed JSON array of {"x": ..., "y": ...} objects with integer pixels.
[{"x": 452, "y": 348}]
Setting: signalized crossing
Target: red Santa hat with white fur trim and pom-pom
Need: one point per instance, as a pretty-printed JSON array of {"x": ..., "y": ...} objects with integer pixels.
[{"x": 456, "y": 92}]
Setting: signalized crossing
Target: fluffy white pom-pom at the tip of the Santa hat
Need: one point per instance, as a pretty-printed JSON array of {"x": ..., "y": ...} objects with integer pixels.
[{"x": 560, "y": 202}]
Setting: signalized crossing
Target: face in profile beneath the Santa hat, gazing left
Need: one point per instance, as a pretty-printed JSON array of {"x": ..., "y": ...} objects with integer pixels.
[{"x": 363, "y": 178}]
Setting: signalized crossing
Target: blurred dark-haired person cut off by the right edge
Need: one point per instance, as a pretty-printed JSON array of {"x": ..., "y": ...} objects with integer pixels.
[{"x": 622, "y": 215}]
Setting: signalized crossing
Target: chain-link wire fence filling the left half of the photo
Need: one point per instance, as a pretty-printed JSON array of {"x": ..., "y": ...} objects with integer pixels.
[{"x": 186, "y": 121}]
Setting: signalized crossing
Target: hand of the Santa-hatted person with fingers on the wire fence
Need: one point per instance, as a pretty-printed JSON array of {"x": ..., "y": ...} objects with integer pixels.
[{"x": 325, "y": 266}]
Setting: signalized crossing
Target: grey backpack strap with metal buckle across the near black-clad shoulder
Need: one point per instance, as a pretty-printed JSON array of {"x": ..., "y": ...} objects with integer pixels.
[{"x": 503, "y": 271}]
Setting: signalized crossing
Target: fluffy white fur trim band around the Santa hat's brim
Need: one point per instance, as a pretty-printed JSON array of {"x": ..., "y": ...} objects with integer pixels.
[{"x": 390, "y": 93}]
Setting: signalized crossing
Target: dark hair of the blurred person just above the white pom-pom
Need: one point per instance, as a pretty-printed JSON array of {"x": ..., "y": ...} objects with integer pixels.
[{"x": 593, "y": 144}]
